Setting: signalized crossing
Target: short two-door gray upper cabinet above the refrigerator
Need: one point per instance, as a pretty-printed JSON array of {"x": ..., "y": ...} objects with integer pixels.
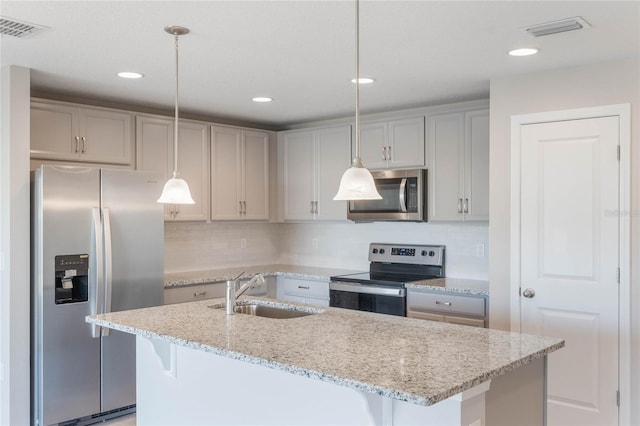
[{"x": 67, "y": 132}]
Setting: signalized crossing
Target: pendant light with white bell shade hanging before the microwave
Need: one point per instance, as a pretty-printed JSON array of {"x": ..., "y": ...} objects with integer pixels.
[{"x": 357, "y": 182}]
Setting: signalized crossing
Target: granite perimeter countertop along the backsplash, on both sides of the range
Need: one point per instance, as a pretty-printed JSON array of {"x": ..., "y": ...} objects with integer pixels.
[{"x": 454, "y": 285}]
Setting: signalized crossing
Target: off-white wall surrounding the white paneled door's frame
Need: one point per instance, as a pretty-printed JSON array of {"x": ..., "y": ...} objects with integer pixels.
[{"x": 616, "y": 82}]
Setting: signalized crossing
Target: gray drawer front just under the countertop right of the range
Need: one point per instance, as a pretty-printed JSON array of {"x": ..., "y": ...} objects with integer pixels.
[{"x": 444, "y": 302}]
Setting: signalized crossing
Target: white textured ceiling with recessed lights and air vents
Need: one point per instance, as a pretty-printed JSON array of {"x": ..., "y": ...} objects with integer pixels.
[{"x": 301, "y": 53}]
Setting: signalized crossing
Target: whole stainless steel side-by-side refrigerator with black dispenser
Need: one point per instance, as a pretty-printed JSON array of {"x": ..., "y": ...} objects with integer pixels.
[{"x": 97, "y": 246}]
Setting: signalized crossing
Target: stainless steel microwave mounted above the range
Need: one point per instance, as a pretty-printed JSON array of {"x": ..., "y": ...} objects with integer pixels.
[{"x": 404, "y": 198}]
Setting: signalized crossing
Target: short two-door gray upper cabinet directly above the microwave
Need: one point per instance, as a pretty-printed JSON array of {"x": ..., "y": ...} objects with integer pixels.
[{"x": 393, "y": 144}]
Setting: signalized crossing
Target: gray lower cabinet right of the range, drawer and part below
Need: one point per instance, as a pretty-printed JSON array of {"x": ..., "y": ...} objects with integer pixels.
[{"x": 447, "y": 307}]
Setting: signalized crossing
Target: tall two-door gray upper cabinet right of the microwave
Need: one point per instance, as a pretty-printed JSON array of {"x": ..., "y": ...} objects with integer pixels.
[{"x": 458, "y": 163}]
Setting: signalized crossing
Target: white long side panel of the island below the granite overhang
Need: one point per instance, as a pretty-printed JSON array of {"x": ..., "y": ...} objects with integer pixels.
[{"x": 179, "y": 385}]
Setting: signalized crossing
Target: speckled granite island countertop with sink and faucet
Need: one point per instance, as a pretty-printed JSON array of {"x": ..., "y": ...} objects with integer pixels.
[{"x": 421, "y": 362}]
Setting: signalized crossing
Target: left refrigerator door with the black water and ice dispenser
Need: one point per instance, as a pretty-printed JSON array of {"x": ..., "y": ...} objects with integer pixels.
[{"x": 66, "y": 358}]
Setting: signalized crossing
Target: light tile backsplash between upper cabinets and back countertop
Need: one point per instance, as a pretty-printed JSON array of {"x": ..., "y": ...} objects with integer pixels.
[{"x": 200, "y": 246}]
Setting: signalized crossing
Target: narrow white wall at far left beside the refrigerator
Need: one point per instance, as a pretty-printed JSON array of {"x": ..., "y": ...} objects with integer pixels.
[{"x": 14, "y": 247}]
